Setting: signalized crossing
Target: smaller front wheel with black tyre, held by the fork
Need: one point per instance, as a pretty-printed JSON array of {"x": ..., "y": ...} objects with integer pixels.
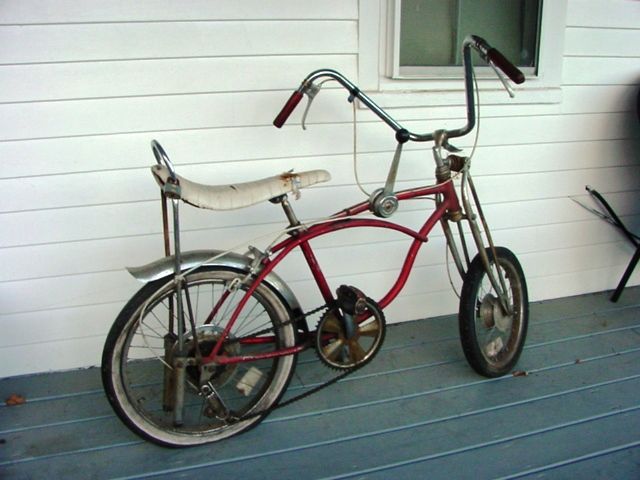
[{"x": 493, "y": 339}]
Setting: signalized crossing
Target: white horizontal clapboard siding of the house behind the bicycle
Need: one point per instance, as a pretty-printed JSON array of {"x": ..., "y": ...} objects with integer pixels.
[{"x": 84, "y": 87}]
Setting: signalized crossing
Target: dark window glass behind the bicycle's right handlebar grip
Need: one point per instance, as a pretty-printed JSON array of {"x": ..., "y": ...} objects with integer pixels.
[{"x": 428, "y": 34}]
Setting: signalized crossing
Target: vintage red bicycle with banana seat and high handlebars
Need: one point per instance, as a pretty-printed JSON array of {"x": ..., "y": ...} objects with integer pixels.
[{"x": 206, "y": 349}]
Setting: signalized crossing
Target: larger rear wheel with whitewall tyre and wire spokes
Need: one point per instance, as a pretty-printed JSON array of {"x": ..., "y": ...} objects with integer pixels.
[{"x": 138, "y": 359}]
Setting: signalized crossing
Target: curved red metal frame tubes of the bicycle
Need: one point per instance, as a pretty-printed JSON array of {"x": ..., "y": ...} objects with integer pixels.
[{"x": 341, "y": 221}]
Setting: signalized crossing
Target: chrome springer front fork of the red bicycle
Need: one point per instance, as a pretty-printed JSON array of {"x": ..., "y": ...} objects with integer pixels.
[{"x": 474, "y": 217}]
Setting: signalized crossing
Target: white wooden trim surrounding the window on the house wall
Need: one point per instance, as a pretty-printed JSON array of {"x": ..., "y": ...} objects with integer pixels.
[{"x": 375, "y": 36}]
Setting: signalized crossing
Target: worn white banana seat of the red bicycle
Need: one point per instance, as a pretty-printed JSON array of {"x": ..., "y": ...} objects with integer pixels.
[{"x": 239, "y": 195}]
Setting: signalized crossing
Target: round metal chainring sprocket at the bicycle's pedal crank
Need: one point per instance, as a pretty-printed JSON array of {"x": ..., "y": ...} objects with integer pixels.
[{"x": 344, "y": 342}]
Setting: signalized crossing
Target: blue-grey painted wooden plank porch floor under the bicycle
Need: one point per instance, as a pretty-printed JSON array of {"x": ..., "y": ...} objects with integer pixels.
[{"x": 417, "y": 411}]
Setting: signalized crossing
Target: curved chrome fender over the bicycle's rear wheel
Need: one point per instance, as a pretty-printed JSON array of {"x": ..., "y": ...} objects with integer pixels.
[{"x": 195, "y": 258}]
